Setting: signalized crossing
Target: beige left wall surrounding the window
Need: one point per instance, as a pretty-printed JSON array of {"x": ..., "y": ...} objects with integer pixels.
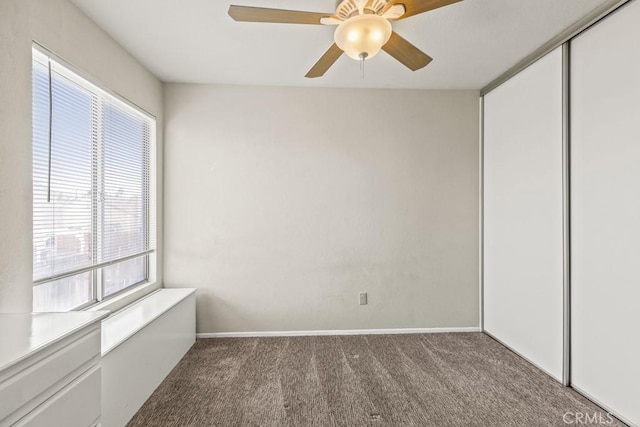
[{"x": 65, "y": 30}]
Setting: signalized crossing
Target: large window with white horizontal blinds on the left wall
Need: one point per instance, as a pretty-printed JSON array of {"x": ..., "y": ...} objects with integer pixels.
[{"x": 92, "y": 216}]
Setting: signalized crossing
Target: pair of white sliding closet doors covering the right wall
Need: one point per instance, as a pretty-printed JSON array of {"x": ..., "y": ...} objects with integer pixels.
[{"x": 540, "y": 229}]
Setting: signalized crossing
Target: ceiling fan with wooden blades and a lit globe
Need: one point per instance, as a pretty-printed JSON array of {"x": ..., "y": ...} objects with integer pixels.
[{"x": 363, "y": 28}]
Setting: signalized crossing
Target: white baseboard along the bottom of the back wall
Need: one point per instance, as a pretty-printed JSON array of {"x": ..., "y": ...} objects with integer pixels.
[{"x": 335, "y": 332}]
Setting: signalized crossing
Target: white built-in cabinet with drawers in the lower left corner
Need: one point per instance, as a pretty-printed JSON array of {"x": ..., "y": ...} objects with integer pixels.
[{"x": 50, "y": 373}]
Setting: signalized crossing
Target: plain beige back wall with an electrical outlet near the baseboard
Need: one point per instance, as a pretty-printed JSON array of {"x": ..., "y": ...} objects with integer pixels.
[{"x": 282, "y": 204}]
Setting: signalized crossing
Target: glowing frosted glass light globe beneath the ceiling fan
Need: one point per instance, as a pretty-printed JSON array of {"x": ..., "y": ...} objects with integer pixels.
[{"x": 363, "y": 34}]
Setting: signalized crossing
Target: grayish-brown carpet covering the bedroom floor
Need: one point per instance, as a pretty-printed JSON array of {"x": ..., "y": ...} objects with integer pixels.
[{"x": 465, "y": 379}]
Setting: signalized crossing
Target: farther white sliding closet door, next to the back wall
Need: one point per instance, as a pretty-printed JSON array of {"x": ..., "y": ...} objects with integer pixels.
[{"x": 523, "y": 246}]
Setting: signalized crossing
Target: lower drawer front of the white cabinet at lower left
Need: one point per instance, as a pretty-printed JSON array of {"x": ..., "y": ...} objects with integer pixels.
[{"x": 76, "y": 405}]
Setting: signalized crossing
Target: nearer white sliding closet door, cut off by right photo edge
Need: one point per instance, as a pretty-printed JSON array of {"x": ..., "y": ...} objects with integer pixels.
[{"x": 605, "y": 220}]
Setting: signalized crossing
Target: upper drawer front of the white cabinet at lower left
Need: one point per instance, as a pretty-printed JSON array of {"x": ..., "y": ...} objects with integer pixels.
[{"x": 28, "y": 384}]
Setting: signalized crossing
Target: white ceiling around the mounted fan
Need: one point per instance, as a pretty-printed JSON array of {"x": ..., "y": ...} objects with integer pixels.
[{"x": 195, "y": 41}]
